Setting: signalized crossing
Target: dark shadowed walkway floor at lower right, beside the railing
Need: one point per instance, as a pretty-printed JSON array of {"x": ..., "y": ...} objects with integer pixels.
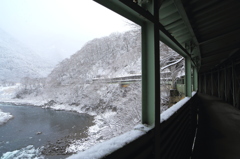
[{"x": 218, "y": 135}]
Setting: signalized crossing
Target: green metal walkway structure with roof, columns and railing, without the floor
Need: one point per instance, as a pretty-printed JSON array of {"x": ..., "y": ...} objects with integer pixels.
[{"x": 206, "y": 34}]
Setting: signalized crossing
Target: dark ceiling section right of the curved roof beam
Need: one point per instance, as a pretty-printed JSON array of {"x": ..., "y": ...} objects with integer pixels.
[{"x": 216, "y": 25}]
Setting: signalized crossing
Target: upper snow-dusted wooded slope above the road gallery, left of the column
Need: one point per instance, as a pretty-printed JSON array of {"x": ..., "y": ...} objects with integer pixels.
[{"x": 111, "y": 56}]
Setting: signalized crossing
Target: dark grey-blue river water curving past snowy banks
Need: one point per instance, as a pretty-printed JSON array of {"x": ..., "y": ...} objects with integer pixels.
[{"x": 41, "y": 127}]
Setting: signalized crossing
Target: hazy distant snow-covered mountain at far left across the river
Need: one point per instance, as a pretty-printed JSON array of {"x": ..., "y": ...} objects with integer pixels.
[{"x": 17, "y": 61}]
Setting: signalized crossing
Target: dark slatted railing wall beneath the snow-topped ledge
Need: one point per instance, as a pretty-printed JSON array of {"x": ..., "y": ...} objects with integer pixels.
[{"x": 177, "y": 135}]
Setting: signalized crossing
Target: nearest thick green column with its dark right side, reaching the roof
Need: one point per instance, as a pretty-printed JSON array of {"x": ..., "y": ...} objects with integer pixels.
[{"x": 150, "y": 68}]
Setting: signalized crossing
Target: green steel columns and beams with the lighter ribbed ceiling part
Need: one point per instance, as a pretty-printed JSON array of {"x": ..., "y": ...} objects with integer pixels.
[{"x": 182, "y": 40}]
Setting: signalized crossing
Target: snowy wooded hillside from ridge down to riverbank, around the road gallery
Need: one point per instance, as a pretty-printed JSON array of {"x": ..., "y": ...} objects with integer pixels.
[{"x": 70, "y": 86}]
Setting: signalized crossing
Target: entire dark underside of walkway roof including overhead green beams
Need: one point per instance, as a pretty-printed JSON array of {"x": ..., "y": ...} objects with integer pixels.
[{"x": 206, "y": 30}]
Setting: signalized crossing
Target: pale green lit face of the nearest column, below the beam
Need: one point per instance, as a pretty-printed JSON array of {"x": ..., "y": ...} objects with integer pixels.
[{"x": 148, "y": 81}]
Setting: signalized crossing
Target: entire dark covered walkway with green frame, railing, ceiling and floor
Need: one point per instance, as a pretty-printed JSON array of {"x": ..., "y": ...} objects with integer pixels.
[{"x": 207, "y": 35}]
